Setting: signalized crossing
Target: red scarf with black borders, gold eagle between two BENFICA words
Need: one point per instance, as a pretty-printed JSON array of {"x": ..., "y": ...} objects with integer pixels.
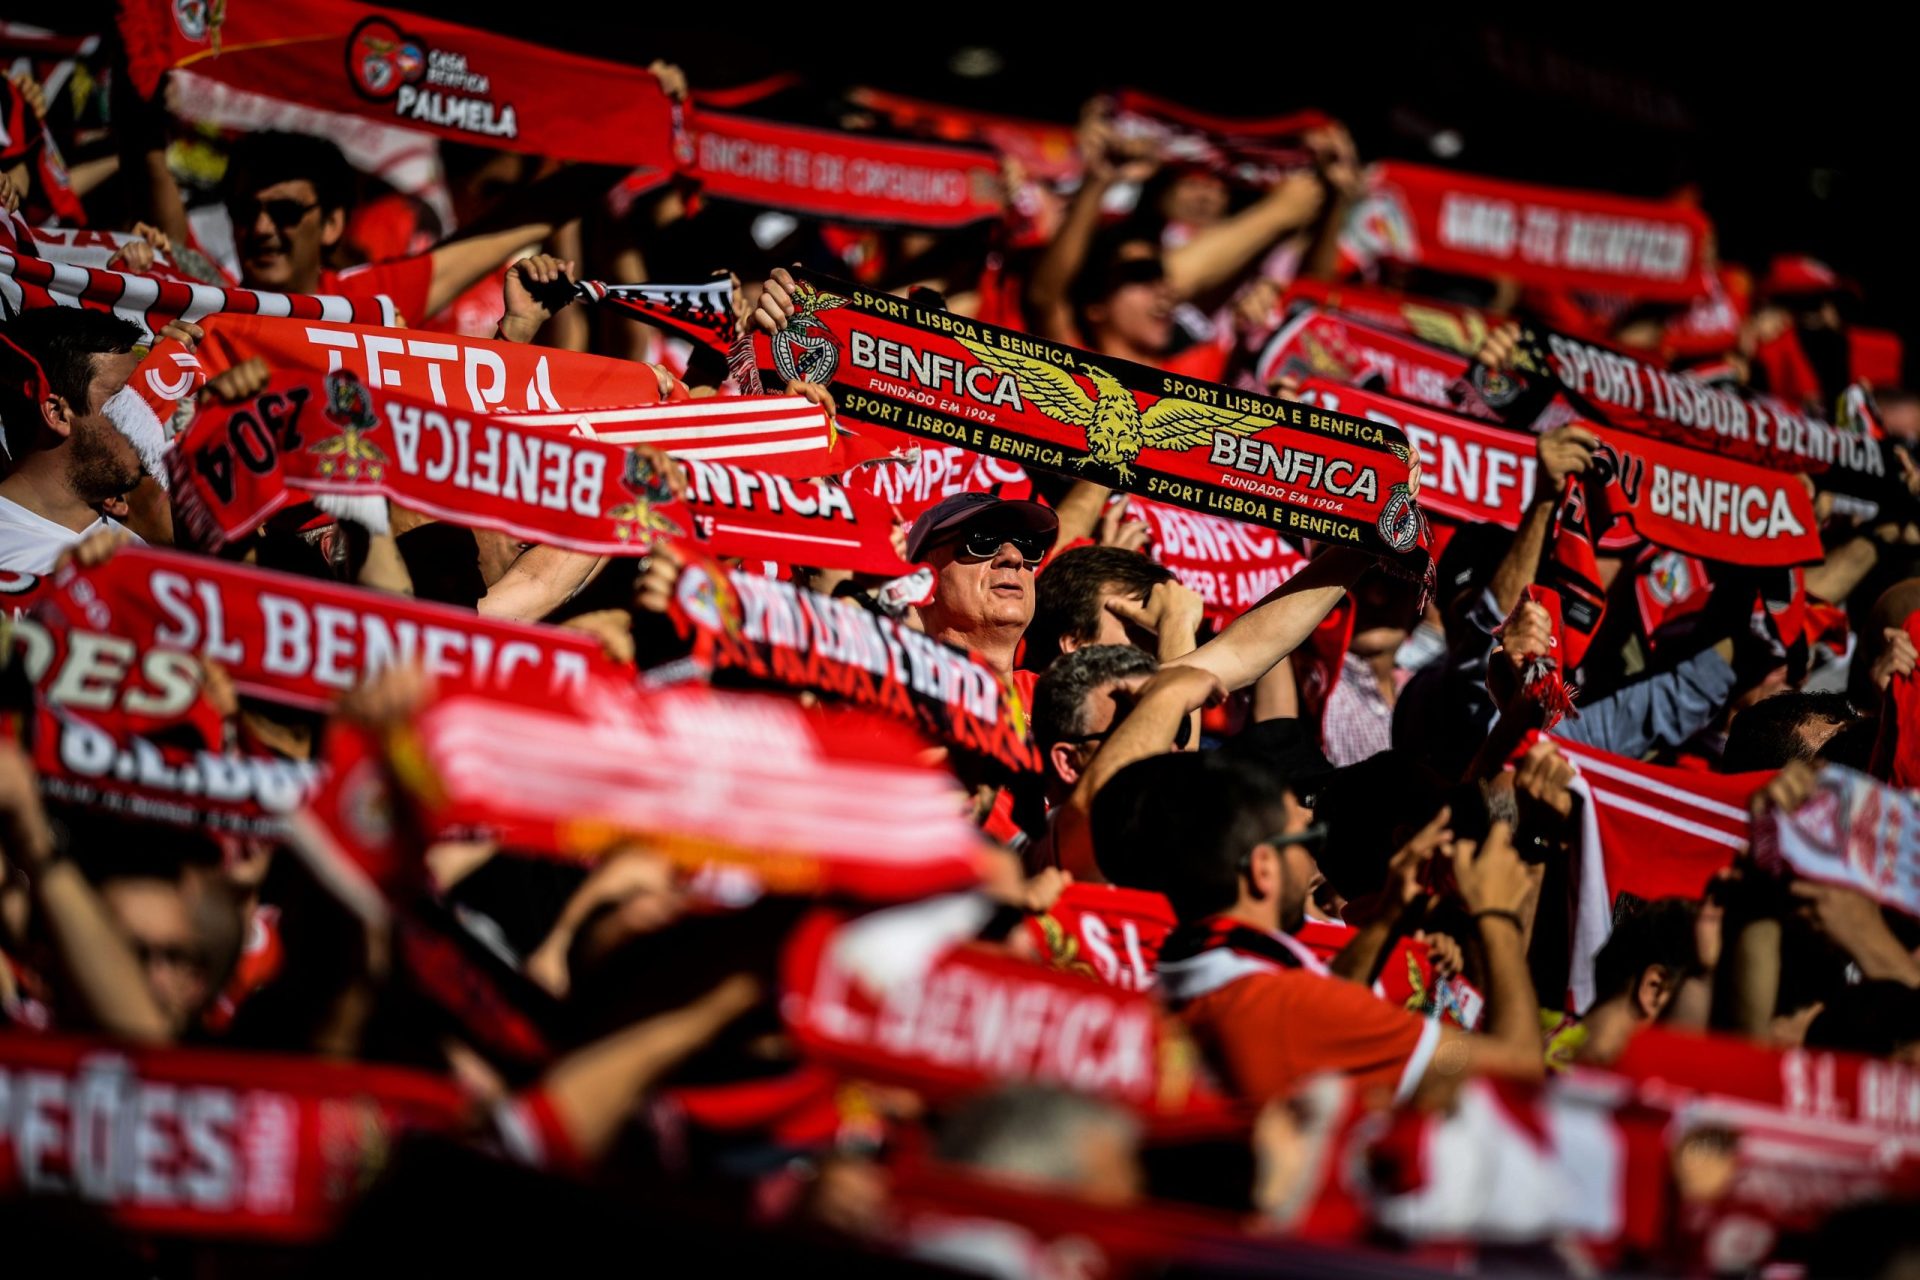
[{"x": 932, "y": 375}]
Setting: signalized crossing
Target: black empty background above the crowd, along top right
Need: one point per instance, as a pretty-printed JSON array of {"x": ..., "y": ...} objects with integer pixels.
[{"x": 1796, "y": 131}]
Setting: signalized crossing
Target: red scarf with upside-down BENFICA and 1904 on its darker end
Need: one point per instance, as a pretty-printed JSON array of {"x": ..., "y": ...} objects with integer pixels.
[{"x": 333, "y": 437}]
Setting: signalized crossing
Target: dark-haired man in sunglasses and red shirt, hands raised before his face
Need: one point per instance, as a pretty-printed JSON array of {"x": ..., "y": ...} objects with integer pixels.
[{"x": 1264, "y": 1010}]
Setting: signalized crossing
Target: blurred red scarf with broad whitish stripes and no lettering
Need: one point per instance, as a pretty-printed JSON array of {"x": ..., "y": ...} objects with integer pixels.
[{"x": 788, "y": 801}]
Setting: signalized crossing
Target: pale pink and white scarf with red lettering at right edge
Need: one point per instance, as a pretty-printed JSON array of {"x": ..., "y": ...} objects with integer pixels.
[{"x": 1852, "y": 832}]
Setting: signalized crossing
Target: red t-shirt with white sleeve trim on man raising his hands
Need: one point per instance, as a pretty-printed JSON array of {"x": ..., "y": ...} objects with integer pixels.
[{"x": 1266, "y": 1033}]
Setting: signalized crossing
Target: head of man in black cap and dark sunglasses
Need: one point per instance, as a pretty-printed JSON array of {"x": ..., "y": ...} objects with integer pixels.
[{"x": 984, "y": 554}]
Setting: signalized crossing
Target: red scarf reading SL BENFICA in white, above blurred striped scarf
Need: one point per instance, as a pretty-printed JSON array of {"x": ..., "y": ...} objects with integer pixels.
[{"x": 306, "y": 642}]
